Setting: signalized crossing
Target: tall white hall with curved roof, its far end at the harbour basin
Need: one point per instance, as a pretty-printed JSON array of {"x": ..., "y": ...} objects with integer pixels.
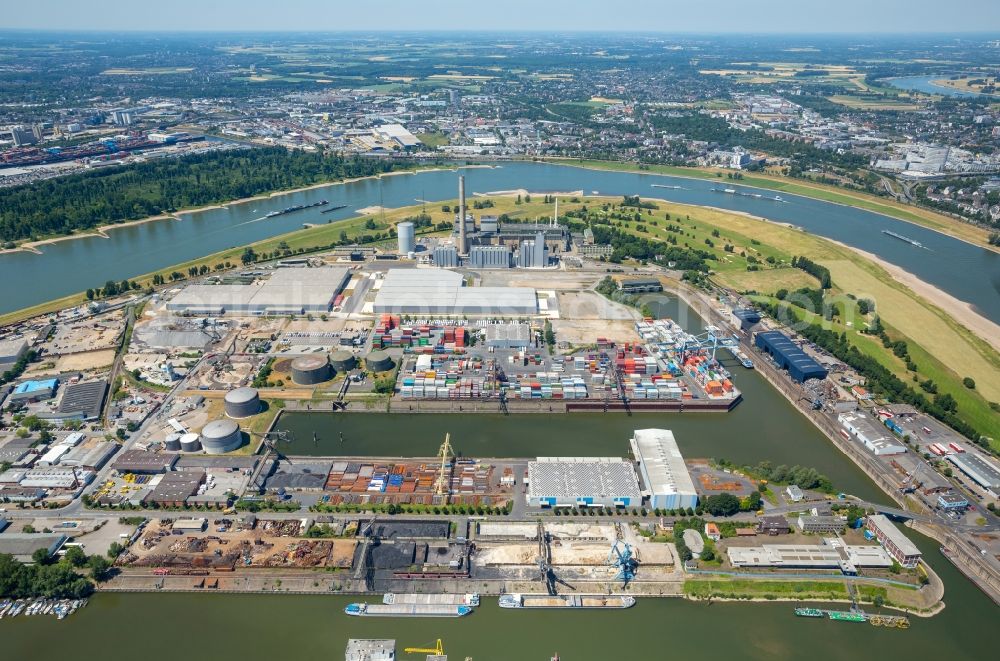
[{"x": 662, "y": 468}]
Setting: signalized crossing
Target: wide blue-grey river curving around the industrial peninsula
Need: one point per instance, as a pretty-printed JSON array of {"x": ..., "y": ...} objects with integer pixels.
[{"x": 967, "y": 272}]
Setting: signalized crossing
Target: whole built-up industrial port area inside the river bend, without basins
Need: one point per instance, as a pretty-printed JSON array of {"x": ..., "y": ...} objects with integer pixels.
[{"x": 165, "y": 434}]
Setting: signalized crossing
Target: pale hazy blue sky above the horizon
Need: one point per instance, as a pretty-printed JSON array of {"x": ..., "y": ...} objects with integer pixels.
[{"x": 723, "y": 16}]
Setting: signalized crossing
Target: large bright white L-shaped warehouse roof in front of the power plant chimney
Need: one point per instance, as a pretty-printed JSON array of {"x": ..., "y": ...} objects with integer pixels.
[{"x": 441, "y": 292}]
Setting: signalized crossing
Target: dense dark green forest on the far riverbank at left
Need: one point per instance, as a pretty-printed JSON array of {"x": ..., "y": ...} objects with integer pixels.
[{"x": 107, "y": 196}]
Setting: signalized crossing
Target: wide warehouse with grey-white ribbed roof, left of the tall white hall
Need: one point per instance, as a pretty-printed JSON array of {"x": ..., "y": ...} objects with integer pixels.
[{"x": 582, "y": 482}]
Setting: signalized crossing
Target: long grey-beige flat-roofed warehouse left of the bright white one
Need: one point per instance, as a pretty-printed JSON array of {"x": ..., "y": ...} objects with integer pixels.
[{"x": 286, "y": 291}]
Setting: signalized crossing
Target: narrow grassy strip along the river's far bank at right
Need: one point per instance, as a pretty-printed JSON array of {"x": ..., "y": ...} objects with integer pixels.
[{"x": 911, "y": 214}]
